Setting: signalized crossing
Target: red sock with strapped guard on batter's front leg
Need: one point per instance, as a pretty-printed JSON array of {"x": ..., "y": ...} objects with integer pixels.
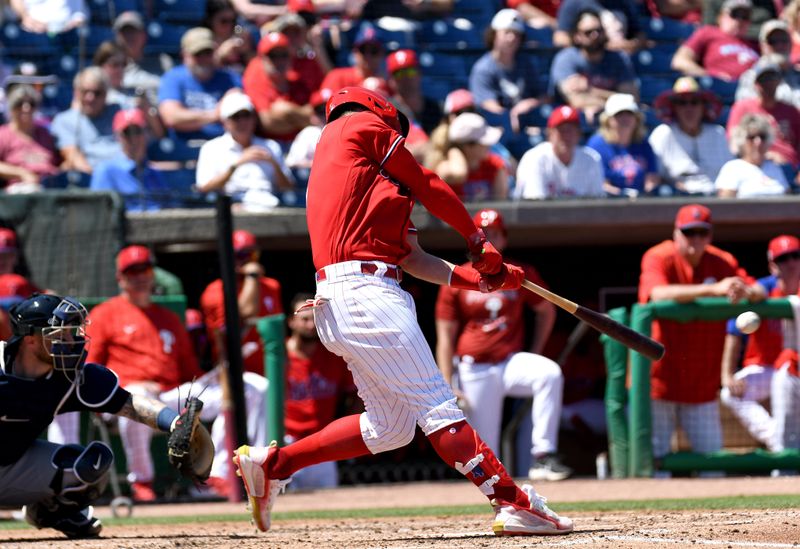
[{"x": 459, "y": 446}]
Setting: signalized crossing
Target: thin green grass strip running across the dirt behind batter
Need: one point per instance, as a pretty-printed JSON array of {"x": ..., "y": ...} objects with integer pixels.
[{"x": 697, "y": 504}]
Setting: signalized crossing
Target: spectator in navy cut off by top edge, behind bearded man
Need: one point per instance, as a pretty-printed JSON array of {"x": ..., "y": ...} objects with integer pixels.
[{"x": 620, "y": 20}]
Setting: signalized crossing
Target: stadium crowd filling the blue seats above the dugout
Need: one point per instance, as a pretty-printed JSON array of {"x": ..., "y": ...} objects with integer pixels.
[{"x": 135, "y": 96}]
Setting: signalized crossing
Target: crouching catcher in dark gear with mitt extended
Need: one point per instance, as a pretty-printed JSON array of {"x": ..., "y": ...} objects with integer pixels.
[{"x": 43, "y": 373}]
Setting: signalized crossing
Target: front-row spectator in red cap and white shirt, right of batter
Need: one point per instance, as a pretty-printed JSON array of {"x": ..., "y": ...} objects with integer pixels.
[{"x": 560, "y": 167}]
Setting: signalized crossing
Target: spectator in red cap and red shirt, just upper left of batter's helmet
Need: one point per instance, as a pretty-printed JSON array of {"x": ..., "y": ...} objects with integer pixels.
[{"x": 279, "y": 95}]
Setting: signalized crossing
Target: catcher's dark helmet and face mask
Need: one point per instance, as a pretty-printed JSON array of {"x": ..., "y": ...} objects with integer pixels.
[{"x": 61, "y": 322}]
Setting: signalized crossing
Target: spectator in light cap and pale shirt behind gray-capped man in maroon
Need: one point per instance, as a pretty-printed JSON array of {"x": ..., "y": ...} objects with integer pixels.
[{"x": 776, "y": 43}]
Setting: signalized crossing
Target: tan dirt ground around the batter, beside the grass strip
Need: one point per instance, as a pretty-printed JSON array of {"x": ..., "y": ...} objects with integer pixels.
[{"x": 735, "y": 528}]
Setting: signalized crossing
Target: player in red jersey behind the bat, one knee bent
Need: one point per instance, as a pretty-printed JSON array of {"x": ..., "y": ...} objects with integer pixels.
[{"x": 483, "y": 334}]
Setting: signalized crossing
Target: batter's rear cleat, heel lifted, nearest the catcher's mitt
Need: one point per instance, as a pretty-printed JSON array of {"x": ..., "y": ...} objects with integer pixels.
[{"x": 261, "y": 491}]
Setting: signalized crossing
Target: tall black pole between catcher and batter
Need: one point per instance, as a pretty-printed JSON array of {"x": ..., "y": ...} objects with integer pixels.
[{"x": 233, "y": 343}]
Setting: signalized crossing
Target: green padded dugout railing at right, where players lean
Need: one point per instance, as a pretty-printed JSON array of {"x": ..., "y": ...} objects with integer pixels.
[{"x": 627, "y": 396}]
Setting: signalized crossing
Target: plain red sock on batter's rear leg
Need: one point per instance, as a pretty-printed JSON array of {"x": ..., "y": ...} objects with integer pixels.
[{"x": 340, "y": 439}]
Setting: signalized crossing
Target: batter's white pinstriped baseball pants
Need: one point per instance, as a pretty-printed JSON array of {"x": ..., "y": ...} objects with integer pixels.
[{"x": 371, "y": 323}]
